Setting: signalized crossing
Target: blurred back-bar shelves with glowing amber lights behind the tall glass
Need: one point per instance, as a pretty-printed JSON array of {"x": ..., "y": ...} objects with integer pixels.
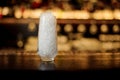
[{"x": 82, "y": 25}]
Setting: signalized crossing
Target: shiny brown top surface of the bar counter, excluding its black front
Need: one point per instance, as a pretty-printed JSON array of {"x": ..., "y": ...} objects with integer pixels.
[{"x": 67, "y": 61}]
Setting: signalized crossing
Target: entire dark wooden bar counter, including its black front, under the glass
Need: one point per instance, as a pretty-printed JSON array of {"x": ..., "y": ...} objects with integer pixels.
[{"x": 67, "y": 65}]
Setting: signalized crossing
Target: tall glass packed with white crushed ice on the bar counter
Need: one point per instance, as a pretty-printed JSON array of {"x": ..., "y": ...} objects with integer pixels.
[{"x": 47, "y": 37}]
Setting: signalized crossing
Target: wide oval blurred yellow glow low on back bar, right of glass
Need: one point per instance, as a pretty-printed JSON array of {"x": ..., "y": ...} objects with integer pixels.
[{"x": 85, "y": 44}]
